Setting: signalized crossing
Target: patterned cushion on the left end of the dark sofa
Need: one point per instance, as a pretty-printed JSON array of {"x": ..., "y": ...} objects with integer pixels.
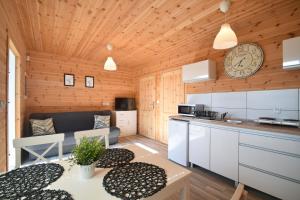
[{"x": 42, "y": 127}]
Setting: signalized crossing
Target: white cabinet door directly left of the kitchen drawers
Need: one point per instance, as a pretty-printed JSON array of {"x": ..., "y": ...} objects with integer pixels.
[{"x": 224, "y": 153}]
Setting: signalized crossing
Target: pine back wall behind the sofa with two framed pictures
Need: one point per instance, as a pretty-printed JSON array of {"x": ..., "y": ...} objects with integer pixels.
[{"x": 47, "y": 72}]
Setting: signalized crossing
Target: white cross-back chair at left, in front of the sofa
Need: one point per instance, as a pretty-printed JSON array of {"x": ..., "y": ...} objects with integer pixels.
[{"x": 23, "y": 143}]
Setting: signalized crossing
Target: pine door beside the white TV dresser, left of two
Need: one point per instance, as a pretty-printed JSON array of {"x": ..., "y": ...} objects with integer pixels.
[{"x": 147, "y": 113}]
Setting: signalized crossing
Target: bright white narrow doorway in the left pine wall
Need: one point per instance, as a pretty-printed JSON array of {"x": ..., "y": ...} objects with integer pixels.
[{"x": 11, "y": 113}]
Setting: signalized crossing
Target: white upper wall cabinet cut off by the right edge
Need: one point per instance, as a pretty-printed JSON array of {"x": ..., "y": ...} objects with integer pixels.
[{"x": 291, "y": 53}]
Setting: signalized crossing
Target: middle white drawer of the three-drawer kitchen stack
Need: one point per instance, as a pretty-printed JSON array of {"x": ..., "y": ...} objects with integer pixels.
[{"x": 272, "y": 162}]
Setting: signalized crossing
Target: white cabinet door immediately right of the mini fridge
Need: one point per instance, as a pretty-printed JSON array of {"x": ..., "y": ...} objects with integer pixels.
[{"x": 199, "y": 145}]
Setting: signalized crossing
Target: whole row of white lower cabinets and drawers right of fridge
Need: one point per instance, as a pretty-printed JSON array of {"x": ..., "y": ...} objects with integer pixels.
[{"x": 266, "y": 161}]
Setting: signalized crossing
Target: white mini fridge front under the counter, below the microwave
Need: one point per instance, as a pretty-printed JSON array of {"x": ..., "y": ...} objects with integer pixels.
[{"x": 178, "y": 140}]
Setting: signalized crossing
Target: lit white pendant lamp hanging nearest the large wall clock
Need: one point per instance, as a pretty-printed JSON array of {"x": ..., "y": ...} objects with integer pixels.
[{"x": 226, "y": 37}]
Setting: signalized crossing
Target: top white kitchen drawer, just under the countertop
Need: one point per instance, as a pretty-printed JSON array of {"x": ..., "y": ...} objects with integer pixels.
[{"x": 271, "y": 142}]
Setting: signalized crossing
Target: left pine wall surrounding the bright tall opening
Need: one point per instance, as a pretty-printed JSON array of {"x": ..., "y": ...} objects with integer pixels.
[{"x": 9, "y": 29}]
